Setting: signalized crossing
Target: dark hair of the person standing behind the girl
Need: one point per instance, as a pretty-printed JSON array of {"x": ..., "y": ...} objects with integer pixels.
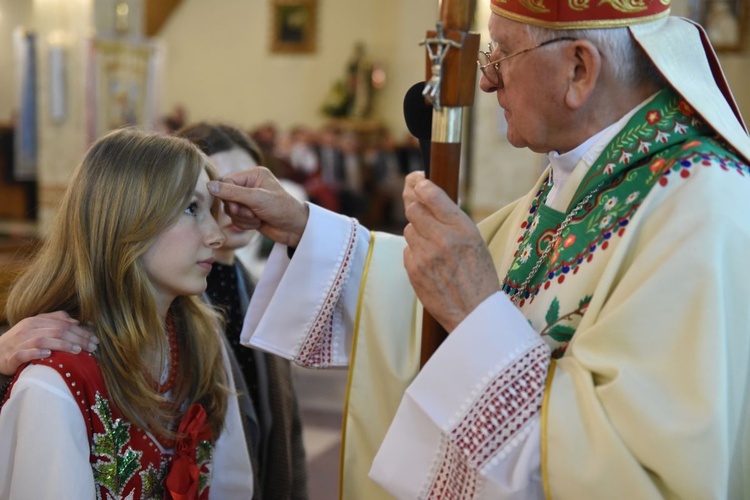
[{"x": 217, "y": 138}]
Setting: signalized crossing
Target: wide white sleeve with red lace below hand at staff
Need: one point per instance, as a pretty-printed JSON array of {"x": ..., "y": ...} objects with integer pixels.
[{"x": 471, "y": 416}]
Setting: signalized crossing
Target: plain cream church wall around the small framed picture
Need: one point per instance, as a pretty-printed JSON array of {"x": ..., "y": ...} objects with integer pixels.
[{"x": 219, "y": 66}]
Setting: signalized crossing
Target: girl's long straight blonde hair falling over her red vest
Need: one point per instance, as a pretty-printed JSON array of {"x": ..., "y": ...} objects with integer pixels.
[{"x": 129, "y": 187}]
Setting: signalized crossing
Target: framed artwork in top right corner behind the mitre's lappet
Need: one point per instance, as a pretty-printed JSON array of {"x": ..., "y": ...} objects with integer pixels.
[{"x": 725, "y": 22}]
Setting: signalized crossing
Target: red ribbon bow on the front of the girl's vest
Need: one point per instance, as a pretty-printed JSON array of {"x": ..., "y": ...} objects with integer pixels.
[{"x": 182, "y": 480}]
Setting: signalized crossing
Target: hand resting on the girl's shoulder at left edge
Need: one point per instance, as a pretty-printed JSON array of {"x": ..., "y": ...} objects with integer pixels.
[{"x": 36, "y": 338}]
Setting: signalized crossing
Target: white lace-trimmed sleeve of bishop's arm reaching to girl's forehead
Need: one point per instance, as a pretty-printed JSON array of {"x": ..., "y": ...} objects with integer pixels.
[{"x": 303, "y": 309}]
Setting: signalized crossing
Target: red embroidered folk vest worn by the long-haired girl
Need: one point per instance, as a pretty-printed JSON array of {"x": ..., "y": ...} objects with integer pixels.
[{"x": 125, "y": 460}]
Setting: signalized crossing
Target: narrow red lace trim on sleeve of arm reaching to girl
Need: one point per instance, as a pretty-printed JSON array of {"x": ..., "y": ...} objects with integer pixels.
[{"x": 317, "y": 348}]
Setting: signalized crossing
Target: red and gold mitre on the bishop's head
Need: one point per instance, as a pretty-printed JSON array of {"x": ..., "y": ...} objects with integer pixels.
[{"x": 581, "y": 14}]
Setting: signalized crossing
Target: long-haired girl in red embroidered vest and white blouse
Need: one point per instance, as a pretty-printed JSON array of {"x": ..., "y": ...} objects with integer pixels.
[{"x": 152, "y": 412}]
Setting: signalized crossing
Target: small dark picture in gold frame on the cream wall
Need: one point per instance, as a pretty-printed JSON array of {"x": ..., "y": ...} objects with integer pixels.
[{"x": 293, "y": 26}]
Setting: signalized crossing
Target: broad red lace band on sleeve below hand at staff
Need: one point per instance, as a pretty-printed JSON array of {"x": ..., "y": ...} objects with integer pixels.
[{"x": 506, "y": 405}]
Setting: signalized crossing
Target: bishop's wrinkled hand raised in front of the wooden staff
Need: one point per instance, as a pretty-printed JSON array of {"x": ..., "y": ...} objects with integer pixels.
[{"x": 448, "y": 262}]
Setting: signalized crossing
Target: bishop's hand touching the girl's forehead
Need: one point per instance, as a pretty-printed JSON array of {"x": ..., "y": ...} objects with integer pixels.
[{"x": 254, "y": 199}]
